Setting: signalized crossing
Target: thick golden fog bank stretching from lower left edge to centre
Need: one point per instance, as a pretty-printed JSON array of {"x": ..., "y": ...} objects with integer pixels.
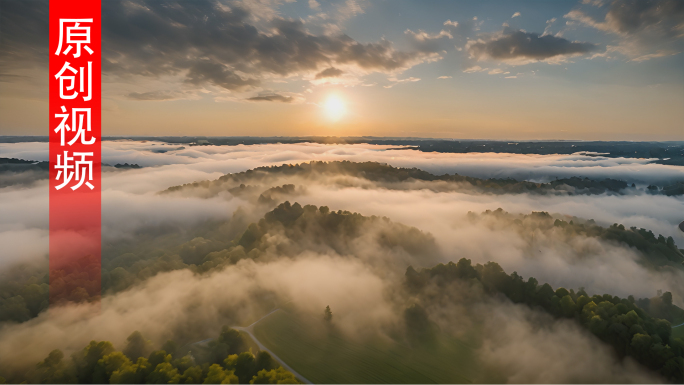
[{"x": 182, "y": 304}]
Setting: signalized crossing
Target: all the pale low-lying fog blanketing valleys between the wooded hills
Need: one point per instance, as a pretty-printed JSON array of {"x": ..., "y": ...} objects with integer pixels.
[{"x": 160, "y": 307}]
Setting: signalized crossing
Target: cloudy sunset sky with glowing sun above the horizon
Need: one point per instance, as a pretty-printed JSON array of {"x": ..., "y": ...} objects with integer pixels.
[{"x": 579, "y": 70}]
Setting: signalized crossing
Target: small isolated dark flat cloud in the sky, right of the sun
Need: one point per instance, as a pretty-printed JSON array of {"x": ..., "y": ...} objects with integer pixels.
[{"x": 521, "y": 45}]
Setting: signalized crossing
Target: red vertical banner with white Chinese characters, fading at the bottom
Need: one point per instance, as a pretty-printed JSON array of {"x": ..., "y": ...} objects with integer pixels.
[{"x": 75, "y": 150}]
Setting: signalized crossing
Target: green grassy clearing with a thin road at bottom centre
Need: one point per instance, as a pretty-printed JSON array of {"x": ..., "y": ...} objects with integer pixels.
[{"x": 324, "y": 355}]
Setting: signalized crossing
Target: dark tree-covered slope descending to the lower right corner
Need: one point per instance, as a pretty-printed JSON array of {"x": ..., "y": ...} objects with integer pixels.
[{"x": 630, "y": 330}]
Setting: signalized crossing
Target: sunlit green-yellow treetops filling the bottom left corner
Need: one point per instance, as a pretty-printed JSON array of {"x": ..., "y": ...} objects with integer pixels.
[{"x": 224, "y": 361}]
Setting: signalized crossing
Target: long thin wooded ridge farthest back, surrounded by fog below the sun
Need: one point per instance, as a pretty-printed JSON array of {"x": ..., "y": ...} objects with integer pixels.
[{"x": 399, "y": 178}]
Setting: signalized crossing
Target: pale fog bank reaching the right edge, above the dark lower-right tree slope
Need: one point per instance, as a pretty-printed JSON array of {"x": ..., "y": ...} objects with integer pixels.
[{"x": 582, "y": 262}]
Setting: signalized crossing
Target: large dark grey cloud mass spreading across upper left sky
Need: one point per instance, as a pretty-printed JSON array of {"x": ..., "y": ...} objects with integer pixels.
[{"x": 205, "y": 41}]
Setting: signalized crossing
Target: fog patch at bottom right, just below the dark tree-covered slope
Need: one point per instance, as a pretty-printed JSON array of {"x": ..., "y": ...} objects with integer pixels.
[{"x": 529, "y": 347}]
